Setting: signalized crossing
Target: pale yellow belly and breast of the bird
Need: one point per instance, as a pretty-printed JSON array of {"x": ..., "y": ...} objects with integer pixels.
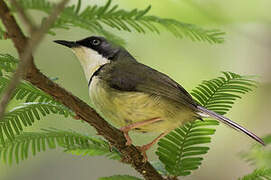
[{"x": 124, "y": 108}]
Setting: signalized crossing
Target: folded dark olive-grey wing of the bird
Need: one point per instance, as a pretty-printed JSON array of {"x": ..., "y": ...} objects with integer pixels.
[{"x": 134, "y": 76}]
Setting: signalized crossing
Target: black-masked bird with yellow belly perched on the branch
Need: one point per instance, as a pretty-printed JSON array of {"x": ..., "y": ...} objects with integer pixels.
[{"x": 136, "y": 97}]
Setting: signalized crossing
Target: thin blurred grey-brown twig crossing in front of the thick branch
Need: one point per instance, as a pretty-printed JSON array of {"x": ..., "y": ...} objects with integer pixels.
[{"x": 26, "y": 56}]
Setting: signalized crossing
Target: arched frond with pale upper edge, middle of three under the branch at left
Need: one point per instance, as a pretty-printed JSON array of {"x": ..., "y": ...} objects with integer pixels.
[{"x": 23, "y": 116}]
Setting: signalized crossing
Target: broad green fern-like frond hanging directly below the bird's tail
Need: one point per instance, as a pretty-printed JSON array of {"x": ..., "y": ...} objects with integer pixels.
[{"x": 181, "y": 149}]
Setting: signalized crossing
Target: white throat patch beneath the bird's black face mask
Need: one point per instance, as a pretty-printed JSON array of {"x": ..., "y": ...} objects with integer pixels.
[{"x": 90, "y": 60}]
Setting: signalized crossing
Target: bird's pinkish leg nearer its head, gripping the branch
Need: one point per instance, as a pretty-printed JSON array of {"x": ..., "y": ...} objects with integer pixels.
[{"x": 126, "y": 129}]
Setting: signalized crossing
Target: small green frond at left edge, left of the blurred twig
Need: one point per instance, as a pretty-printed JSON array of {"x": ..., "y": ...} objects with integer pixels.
[{"x": 7, "y": 63}]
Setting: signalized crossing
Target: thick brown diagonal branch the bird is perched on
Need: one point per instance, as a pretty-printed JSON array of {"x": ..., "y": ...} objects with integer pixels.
[{"x": 130, "y": 154}]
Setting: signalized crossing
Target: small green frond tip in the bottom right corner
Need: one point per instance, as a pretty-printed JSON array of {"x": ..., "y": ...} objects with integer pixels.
[{"x": 258, "y": 174}]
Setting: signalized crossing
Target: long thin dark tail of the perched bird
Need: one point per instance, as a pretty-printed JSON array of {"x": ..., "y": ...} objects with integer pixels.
[{"x": 229, "y": 123}]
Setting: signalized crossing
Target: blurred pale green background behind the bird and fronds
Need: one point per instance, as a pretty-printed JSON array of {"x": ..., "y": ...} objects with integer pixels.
[{"x": 246, "y": 50}]
